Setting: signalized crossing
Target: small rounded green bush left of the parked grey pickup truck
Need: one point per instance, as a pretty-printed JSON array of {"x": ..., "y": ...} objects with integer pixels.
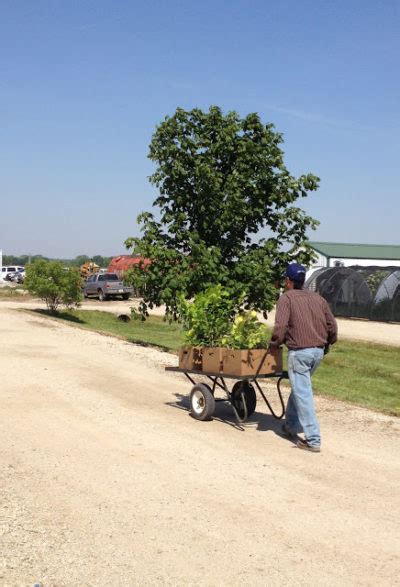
[{"x": 54, "y": 283}]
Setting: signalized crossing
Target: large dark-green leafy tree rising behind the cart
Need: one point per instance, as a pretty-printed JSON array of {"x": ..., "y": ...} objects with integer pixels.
[{"x": 221, "y": 180}]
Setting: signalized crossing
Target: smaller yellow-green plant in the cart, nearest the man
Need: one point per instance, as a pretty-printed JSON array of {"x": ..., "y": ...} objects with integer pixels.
[{"x": 247, "y": 332}]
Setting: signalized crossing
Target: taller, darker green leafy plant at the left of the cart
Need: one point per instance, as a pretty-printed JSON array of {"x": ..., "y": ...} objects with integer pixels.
[{"x": 208, "y": 318}]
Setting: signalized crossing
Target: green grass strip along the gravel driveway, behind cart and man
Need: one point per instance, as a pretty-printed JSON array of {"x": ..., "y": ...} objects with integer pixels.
[{"x": 357, "y": 372}]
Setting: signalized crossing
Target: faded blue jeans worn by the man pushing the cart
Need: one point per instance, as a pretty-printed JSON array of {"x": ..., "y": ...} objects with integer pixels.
[{"x": 300, "y": 410}]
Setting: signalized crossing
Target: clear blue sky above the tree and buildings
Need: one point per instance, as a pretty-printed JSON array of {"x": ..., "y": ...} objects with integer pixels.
[{"x": 84, "y": 83}]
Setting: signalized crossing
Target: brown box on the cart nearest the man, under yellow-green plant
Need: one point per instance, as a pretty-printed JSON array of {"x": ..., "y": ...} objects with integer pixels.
[{"x": 246, "y": 362}]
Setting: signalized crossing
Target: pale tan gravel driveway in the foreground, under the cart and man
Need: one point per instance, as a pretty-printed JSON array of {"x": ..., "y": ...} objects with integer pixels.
[{"x": 106, "y": 479}]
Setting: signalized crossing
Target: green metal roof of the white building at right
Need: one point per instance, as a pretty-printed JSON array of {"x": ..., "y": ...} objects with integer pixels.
[{"x": 357, "y": 251}]
